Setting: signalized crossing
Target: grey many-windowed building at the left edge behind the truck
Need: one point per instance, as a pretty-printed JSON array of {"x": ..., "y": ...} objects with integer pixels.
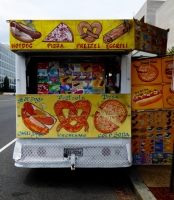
[{"x": 7, "y": 65}]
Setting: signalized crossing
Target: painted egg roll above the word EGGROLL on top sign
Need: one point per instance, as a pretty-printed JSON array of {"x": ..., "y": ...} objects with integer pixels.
[{"x": 117, "y": 32}]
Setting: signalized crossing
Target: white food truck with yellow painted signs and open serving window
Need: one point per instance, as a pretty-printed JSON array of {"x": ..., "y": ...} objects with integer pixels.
[{"x": 73, "y": 90}]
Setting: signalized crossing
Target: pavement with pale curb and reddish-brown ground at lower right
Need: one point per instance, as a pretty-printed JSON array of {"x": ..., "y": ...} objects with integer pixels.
[{"x": 152, "y": 182}]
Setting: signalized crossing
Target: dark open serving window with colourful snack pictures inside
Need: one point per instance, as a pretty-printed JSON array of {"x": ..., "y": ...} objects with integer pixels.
[{"x": 74, "y": 76}]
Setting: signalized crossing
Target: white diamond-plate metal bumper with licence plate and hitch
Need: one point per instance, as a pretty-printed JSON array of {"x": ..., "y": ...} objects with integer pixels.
[{"x": 49, "y": 153}]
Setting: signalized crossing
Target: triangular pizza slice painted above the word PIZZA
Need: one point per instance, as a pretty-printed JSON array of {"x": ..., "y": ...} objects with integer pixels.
[{"x": 61, "y": 33}]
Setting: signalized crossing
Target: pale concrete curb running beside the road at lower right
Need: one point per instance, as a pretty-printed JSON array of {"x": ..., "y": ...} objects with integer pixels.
[{"x": 140, "y": 189}]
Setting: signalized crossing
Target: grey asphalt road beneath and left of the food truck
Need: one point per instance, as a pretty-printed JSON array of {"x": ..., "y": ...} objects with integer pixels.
[{"x": 50, "y": 184}]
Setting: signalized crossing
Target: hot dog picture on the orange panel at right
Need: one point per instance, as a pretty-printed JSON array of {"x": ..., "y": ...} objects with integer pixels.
[{"x": 147, "y": 98}]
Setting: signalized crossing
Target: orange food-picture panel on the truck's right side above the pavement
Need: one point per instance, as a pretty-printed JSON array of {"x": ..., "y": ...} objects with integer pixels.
[{"x": 152, "y": 111}]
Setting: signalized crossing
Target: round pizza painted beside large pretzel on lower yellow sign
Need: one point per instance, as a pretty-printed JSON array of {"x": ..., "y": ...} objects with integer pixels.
[{"x": 112, "y": 113}]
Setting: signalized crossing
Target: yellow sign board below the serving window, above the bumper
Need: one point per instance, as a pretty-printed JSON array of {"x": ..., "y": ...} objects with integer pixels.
[{"x": 73, "y": 116}]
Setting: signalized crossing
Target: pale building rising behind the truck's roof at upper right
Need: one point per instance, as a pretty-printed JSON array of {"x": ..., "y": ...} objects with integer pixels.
[{"x": 159, "y": 13}]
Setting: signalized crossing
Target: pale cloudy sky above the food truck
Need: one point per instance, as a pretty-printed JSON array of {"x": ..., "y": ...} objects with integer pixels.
[{"x": 64, "y": 9}]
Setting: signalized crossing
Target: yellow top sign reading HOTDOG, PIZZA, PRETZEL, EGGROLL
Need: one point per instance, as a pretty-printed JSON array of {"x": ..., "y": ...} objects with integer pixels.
[{"x": 71, "y": 34}]
